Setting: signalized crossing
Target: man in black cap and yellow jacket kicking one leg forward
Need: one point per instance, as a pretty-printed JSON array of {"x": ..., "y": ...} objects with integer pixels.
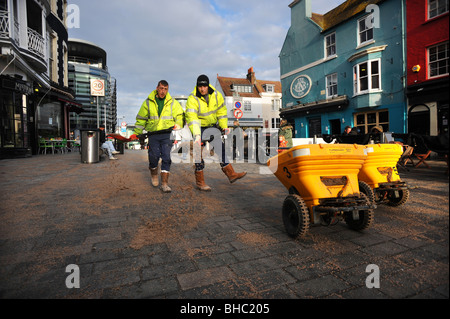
[{"x": 206, "y": 109}]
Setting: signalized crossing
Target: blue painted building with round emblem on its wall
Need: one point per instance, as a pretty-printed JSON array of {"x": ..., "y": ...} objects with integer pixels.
[{"x": 345, "y": 68}]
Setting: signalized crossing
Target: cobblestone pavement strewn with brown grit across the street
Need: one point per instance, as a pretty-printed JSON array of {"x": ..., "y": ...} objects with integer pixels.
[{"x": 131, "y": 241}]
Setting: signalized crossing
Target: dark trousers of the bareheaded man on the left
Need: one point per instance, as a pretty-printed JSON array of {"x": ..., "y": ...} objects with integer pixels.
[{"x": 159, "y": 147}]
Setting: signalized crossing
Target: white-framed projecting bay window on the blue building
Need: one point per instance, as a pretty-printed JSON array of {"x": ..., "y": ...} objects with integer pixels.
[{"x": 367, "y": 77}]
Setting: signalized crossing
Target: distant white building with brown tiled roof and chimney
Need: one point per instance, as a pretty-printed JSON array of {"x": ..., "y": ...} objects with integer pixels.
[{"x": 255, "y": 103}]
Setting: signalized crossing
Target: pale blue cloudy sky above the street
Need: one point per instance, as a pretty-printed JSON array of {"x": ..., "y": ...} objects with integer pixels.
[{"x": 177, "y": 40}]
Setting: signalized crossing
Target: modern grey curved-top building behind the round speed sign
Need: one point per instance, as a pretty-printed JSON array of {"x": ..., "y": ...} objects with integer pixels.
[{"x": 87, "y": 62}]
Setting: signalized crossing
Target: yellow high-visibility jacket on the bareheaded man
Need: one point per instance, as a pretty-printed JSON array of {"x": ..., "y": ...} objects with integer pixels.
[{"x": 149, "y": 120}]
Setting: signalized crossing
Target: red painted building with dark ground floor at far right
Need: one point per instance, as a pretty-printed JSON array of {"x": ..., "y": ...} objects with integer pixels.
[{"x": 427, "y": 66}]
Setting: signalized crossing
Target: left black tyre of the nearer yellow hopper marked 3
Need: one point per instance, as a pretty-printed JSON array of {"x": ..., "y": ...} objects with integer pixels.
[{"x": 295, "y": 216}]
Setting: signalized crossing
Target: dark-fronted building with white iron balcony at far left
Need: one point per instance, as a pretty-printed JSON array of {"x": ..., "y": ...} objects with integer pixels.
[{"x": 35, "y": 98}]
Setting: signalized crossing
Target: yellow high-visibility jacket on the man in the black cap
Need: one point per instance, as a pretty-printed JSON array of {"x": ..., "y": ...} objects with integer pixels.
[{"x": 201, "y": 114}]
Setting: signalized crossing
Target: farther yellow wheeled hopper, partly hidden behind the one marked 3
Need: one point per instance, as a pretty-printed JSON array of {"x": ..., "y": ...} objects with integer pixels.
[{"x": 379, "y": 178}]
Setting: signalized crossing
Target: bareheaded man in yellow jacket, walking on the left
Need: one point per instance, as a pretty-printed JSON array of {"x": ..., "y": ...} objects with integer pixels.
[{"x": 159, "y": 115}]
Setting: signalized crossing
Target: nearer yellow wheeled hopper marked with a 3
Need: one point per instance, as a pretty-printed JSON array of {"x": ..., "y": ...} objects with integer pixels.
[{"x": 322, "y": 180}]
